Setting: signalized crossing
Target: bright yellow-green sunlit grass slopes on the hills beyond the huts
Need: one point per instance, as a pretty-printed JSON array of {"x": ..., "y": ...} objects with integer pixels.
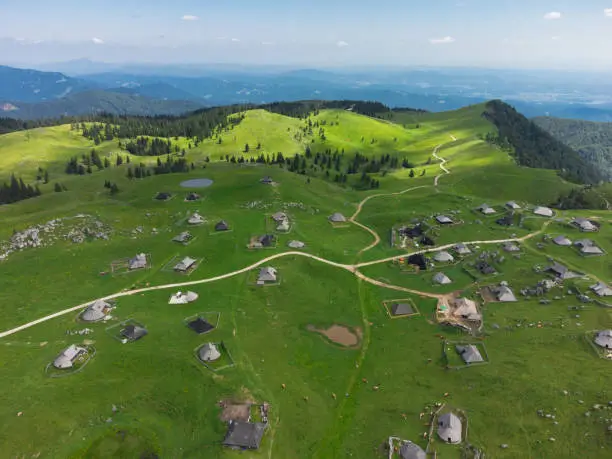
[{"x": 409, "y": 136}]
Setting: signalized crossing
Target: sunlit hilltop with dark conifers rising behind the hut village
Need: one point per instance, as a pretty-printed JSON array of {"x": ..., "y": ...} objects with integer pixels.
[{"x": 363, "y": 145}]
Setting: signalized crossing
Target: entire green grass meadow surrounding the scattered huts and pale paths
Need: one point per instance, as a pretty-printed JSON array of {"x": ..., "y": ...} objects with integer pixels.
[{"x": 154, "y": 398}]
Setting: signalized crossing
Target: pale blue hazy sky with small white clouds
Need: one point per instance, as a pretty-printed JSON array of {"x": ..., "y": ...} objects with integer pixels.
[{"x": 509, "y": 33}]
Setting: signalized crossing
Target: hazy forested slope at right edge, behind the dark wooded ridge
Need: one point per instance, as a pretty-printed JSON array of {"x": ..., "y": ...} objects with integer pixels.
[{"x": 592, "y": 140}]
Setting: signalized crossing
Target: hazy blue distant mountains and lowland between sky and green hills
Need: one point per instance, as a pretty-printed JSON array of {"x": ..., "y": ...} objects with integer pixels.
[{"x": 150, "y": 89}]
